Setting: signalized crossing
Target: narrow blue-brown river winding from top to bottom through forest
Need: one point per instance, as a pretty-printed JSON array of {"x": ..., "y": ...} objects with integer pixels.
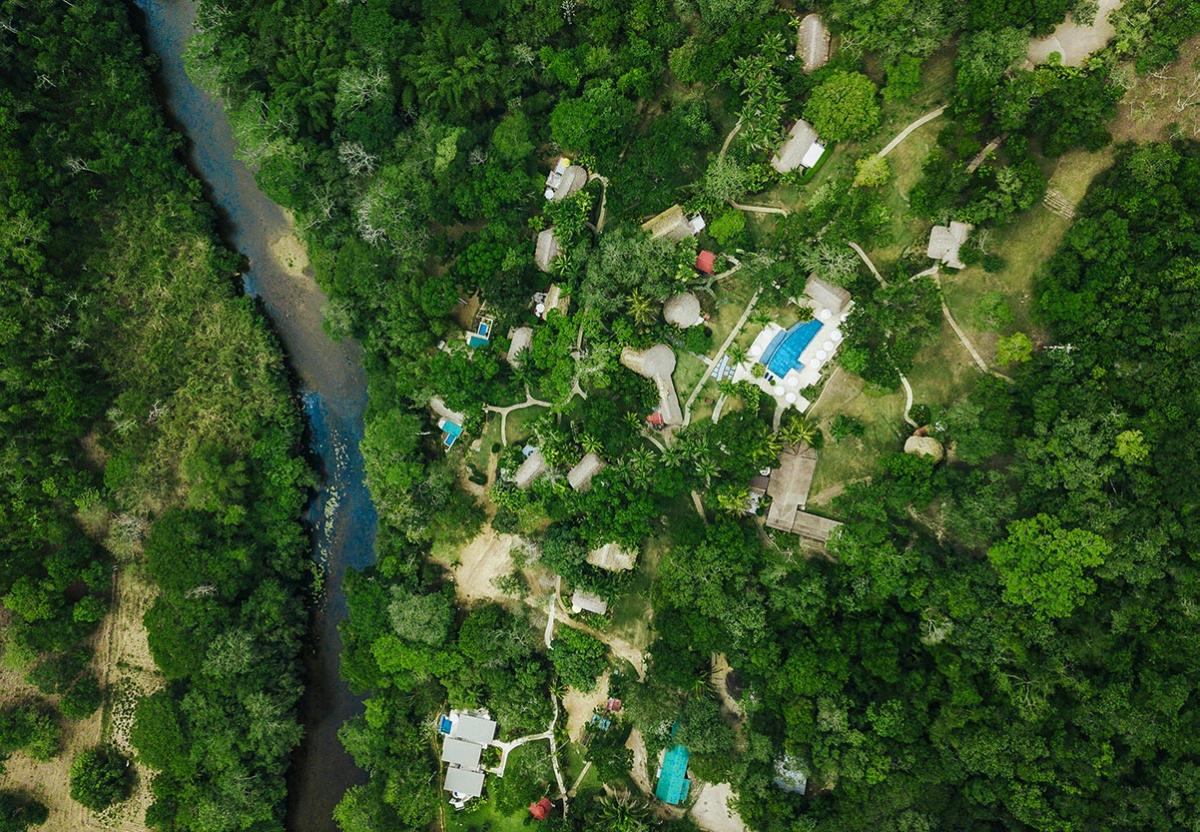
[{"x": 333, "y": 387}]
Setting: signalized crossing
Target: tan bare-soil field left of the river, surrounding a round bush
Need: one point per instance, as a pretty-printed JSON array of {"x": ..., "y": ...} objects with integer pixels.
[{"x": 128, "y": 672}]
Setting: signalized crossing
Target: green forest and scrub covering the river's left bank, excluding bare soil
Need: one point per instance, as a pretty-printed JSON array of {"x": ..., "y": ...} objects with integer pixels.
[{"x": 148, "y": 429}]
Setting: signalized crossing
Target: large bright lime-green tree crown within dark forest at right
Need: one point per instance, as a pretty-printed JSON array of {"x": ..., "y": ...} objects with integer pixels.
[{"x": 1047, "y": 567}]
